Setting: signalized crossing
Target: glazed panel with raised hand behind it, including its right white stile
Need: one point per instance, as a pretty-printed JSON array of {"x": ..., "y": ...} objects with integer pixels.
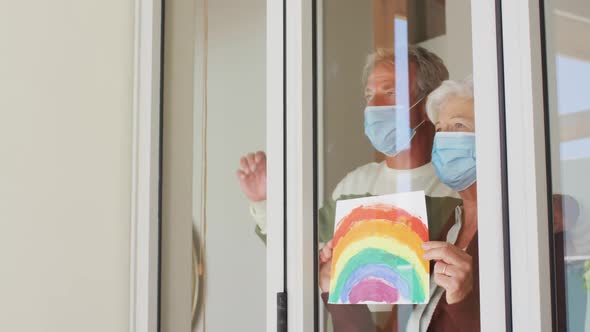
[{"x": 222, "y": 102}]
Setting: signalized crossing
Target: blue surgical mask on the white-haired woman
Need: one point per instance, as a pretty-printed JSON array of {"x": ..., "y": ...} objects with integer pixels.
[{"x": 453, "y": 157}]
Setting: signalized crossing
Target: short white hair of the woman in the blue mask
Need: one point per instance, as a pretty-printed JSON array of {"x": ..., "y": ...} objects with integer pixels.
[{"x": 448, "y": 89}]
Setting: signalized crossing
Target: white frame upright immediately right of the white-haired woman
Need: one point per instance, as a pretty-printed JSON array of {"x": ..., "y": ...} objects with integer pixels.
[{"x": 489, "y": 187}]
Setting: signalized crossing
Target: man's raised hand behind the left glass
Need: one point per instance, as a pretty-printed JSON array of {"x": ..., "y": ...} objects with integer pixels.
[{"x": 252, "y": 176}]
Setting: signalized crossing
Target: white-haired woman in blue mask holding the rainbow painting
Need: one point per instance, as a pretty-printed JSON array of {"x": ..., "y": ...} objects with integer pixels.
[{"x": 454, "y": 301}]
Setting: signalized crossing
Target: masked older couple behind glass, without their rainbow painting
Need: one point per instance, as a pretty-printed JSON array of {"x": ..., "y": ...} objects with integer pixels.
[{"x": 429, "y": 145}]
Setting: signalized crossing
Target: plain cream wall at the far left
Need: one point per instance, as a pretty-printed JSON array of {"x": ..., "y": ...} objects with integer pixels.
[{"x": 65, "y": 143}]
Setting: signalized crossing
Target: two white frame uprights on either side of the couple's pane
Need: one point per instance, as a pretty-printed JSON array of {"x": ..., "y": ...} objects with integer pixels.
[{"x": 299, "y": 130}]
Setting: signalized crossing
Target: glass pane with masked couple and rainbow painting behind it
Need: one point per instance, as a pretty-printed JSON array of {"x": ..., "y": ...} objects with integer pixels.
[{"x": 388, "y": 126}]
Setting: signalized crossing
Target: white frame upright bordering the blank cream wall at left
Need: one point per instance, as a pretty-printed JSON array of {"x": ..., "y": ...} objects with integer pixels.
[{"x": 145, "y": 172}]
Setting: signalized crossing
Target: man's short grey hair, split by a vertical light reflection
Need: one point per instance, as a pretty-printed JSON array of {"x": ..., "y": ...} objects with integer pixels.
[{"x": 431, "y": 70}]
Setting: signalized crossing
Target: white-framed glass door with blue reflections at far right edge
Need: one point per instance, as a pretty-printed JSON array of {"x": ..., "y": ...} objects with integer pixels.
[{"x": 547, "y": 67}]
